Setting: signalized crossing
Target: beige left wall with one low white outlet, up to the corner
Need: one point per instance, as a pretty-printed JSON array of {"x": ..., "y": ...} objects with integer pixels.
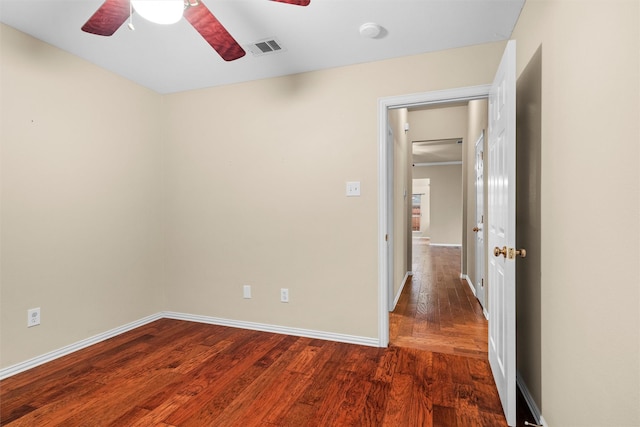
[{"x": 80, "y": 214}]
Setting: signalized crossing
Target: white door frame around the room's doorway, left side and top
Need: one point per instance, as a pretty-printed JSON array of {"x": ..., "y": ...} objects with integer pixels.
[{"x": 385, "y": 184}]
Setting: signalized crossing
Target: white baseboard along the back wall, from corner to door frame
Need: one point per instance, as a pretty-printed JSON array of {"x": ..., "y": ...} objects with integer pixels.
[{"x": 263, "y": 327}]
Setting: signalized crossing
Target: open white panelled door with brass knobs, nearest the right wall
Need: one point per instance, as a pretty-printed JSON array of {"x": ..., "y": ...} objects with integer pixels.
[{"x": 501, "y": 190}]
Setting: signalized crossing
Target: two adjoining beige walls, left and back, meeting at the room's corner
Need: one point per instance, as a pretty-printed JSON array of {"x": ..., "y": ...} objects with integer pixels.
[{"x": 148, "y": 206}]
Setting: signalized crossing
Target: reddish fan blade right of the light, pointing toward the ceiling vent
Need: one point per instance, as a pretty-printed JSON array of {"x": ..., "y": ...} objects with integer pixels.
[{"x": 213, "y": 32}]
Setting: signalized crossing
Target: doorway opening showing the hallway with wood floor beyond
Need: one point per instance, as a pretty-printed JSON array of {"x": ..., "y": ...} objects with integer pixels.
[{"x": 437, "y": 308}]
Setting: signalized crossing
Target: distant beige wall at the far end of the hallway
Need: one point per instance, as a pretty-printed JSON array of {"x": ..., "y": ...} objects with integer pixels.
[{"x": 445, "y": 202}]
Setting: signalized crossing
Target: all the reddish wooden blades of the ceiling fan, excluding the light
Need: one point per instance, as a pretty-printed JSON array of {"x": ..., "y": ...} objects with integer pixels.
[{"x": 113, "y": 13}]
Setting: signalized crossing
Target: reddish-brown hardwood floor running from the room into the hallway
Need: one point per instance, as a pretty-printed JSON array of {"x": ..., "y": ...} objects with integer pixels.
[{"x": 177, "y": 373}]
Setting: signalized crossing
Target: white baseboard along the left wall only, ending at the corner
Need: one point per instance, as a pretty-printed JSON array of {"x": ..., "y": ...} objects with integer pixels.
[{"x": 71, "y": 348}]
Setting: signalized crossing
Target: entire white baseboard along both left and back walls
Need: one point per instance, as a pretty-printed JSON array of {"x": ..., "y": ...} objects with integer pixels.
[{"x": 79, "y": 345}]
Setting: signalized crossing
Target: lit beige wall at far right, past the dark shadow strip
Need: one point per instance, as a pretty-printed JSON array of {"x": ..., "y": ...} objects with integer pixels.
[{"x": 590, "y": 214}]
